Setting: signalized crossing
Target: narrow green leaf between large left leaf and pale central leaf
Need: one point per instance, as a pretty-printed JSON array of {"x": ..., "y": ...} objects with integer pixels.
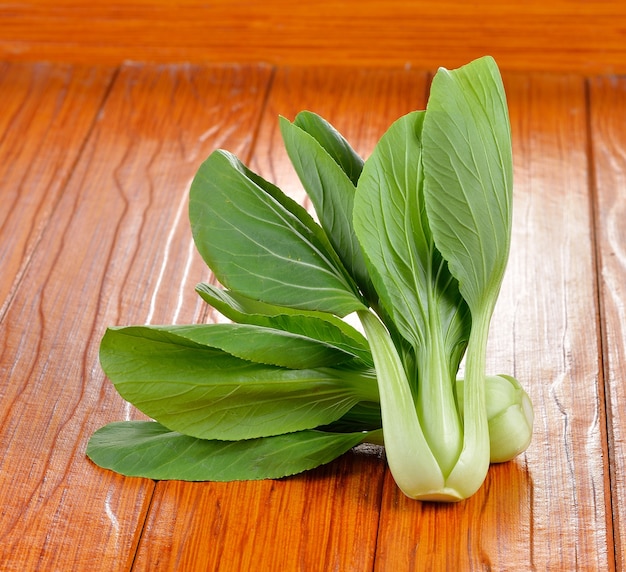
[{"x": 332, "y": 193}]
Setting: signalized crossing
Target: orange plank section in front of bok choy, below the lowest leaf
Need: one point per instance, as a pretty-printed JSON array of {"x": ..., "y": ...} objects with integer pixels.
[{"x": 324, "y": 520}]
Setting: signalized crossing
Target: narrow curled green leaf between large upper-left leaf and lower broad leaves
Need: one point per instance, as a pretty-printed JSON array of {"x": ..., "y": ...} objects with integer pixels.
[{"x": 319, "y": 326}]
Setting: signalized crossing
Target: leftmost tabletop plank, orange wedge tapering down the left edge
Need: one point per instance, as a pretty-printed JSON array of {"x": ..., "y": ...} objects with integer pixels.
[{"x": 47, "y": 112}]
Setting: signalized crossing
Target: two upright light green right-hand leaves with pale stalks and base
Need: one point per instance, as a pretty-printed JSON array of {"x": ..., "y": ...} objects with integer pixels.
[{"x": 439, "y": 184}]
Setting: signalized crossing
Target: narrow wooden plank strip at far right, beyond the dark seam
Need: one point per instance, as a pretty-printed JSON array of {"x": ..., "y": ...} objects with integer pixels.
[{"x": 608, "y": 110}]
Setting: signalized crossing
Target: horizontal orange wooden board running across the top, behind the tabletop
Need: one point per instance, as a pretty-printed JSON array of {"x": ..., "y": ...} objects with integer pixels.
[{"x": 534, "y": 35}]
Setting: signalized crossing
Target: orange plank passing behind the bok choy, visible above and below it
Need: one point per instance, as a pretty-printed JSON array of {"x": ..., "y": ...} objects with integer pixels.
[{"x": 326, "y": 519}]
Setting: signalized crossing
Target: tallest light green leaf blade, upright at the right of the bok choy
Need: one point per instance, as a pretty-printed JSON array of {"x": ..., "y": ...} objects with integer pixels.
[{"x": 469, "y": 176}]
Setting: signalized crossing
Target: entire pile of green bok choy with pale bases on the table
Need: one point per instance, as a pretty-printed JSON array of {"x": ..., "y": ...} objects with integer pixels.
[{"x": 414, "y": 241}]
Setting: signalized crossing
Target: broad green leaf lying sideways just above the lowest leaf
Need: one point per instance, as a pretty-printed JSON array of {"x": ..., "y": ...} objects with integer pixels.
[{"x": 205, "y": 392}]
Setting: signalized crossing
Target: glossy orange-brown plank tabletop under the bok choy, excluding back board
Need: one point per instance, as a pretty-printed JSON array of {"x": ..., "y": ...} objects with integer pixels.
[{"x": 95, "y": 165}]
